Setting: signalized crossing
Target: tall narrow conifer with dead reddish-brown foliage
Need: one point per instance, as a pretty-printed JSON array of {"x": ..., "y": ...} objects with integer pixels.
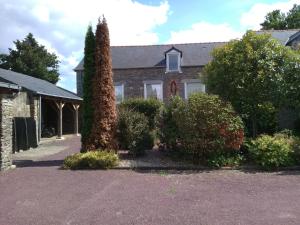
[{"x": 105, "y": 117}]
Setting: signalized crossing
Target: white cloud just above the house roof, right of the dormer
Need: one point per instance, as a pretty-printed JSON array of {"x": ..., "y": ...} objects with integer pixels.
[{"x": 205, "y": 32}]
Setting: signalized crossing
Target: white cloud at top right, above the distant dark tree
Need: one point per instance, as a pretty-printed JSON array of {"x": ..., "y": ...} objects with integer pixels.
[{"x": 256, "y": 15}]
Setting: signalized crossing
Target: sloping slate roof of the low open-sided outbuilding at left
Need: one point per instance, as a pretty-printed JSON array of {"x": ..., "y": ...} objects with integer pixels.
[{"x": 38, "y": 86}]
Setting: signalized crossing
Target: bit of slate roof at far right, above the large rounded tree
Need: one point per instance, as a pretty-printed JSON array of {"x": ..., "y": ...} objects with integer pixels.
[{"x": 284, "y": 36}]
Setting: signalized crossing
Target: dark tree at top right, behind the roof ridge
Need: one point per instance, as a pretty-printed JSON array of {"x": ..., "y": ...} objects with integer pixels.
[{"x": 277, "y": 20}]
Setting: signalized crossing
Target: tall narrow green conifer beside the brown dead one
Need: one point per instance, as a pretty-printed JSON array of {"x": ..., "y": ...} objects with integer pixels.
[{"x": 89, "y": 72}]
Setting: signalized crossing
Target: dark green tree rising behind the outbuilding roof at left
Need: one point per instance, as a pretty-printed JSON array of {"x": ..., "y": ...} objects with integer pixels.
[{"x": 32, "y": 59}]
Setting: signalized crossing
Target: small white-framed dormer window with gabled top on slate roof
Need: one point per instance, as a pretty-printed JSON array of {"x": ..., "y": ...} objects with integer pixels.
[{"x": 173, "y": 60}]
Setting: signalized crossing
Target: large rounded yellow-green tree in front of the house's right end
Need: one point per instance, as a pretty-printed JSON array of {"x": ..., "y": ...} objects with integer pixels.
[{"x": 253, "y": 72}]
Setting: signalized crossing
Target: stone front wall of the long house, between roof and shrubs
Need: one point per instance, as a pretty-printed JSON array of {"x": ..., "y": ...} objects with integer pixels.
[{"x": 133, "y": 80}]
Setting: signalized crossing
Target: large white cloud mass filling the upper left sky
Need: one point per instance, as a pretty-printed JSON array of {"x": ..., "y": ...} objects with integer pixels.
[{"x": 61, "y": 26}]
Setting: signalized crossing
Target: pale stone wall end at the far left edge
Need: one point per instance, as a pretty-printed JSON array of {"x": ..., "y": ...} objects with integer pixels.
[{"x": 6, "y": 131}]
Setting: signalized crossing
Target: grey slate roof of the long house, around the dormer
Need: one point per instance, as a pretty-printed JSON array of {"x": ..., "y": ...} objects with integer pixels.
[{"x": 193, "y": 54}]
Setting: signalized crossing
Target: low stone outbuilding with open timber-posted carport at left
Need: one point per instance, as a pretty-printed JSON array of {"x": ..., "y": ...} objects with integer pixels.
[{"x": 23, "y": 96}]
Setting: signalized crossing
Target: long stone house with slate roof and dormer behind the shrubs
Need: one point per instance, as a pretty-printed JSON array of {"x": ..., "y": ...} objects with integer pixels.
[{"x": 162, "y": 70}]
